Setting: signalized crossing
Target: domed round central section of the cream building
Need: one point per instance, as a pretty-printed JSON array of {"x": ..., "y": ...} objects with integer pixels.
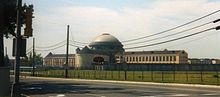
[{"x": 100, "y": 52}]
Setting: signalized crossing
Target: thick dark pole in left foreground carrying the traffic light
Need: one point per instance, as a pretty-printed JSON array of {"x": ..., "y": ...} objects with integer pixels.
[{"x": 16, "y": 87}]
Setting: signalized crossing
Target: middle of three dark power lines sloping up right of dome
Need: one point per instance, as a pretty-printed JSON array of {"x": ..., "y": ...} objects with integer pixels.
[{"x": 172, "y": 34}]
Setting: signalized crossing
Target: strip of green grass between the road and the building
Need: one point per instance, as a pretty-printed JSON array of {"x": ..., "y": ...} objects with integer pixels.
[{"x": 189, "y": 77}]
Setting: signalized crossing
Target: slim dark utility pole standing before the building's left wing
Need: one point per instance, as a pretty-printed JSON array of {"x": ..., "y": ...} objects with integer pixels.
[{"x": 67, "y": 53}]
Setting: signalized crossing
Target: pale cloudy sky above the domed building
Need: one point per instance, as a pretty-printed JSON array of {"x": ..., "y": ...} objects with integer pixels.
[{"x": 124, "y": 19}]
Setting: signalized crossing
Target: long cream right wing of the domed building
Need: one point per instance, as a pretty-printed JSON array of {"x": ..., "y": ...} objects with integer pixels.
[{"x": 157, "y": 57}]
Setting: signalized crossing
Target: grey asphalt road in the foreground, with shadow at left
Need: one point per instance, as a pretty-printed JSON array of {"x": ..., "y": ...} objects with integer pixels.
[{"x": 47, "y": 87}]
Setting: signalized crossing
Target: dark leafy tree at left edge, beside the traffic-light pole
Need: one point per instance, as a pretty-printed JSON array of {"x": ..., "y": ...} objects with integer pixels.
[{"x": 7, "y": 23}]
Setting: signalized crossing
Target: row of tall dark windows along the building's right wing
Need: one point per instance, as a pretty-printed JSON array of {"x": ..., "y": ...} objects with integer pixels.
[{"x": 150, "y": 58}]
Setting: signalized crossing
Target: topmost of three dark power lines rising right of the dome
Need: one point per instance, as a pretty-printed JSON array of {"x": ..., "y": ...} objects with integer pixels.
[{"x": 172, "y": 28}]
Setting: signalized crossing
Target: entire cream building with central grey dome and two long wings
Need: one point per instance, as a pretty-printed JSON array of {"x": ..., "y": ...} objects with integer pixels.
[{"x": 106, "y": 50}]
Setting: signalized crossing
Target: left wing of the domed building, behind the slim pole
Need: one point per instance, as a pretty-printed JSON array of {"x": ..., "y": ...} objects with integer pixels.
[{"x": 58, "y": 60}]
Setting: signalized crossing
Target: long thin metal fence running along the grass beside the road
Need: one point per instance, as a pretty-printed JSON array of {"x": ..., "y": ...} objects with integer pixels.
[{"x": 169, "y": 73}]
